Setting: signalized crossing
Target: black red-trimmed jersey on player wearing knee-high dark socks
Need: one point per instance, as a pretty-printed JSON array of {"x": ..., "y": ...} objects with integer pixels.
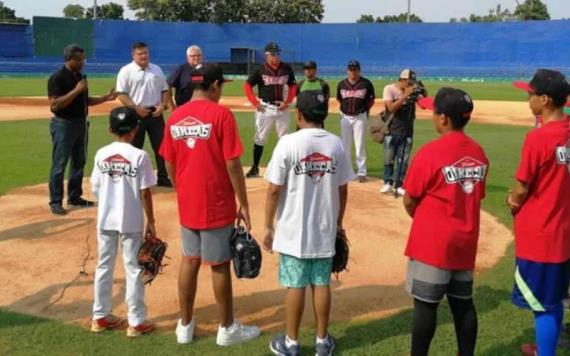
[{"x": 272, "y": 83}]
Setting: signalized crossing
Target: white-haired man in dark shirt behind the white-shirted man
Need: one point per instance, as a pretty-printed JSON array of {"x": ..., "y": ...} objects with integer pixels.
[{"x": 181, "y": 79}]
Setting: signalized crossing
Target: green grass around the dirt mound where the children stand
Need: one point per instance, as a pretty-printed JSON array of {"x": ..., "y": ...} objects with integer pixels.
[{"x": 502, "y": 327}]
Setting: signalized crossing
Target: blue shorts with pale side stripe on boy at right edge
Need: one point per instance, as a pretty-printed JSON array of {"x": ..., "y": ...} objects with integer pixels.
[{"x": 540, "y": 287}]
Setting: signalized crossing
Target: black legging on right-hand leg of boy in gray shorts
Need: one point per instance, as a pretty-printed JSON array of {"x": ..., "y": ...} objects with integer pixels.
[{"x": 466, "y": 325}]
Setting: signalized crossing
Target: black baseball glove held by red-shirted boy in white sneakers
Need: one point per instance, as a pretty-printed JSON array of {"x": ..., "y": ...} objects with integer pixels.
[{"x": 246, "y": 254}]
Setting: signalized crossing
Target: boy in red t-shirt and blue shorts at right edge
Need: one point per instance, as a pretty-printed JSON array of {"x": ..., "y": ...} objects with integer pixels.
[{"x": 540, "y": 203}]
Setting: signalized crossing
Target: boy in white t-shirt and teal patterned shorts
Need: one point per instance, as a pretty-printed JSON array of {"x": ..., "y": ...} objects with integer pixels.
[{"x": 308, "y": 176}]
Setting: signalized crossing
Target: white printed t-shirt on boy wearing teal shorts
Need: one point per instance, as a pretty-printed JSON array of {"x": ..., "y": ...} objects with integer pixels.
[{"x": 311, "y": 164}]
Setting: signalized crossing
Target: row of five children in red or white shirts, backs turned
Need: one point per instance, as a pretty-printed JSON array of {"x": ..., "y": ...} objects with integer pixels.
[{"x": 308, "y": 177}]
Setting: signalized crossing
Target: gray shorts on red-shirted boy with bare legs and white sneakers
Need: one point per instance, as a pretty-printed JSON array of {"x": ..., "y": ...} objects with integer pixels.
[{"x": 210, "y": 246}]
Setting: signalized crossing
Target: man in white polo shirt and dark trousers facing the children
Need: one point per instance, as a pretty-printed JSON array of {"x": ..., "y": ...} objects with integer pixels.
[{"x": 142, "y": 85}]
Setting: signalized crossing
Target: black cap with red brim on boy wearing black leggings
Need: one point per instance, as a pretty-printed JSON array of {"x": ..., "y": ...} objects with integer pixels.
[{"x": 449, "y": 101}]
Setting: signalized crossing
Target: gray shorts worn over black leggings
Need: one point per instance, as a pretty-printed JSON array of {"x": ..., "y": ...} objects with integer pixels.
[{"x": 430, "y": 284}]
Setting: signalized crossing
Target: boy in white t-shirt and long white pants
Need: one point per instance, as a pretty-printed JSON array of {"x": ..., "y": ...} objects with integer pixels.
[{"x": 121, "y": 181}]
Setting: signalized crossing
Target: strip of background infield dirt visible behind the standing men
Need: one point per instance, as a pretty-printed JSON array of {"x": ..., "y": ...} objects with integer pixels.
[{"x": 494, "y": 112}]
